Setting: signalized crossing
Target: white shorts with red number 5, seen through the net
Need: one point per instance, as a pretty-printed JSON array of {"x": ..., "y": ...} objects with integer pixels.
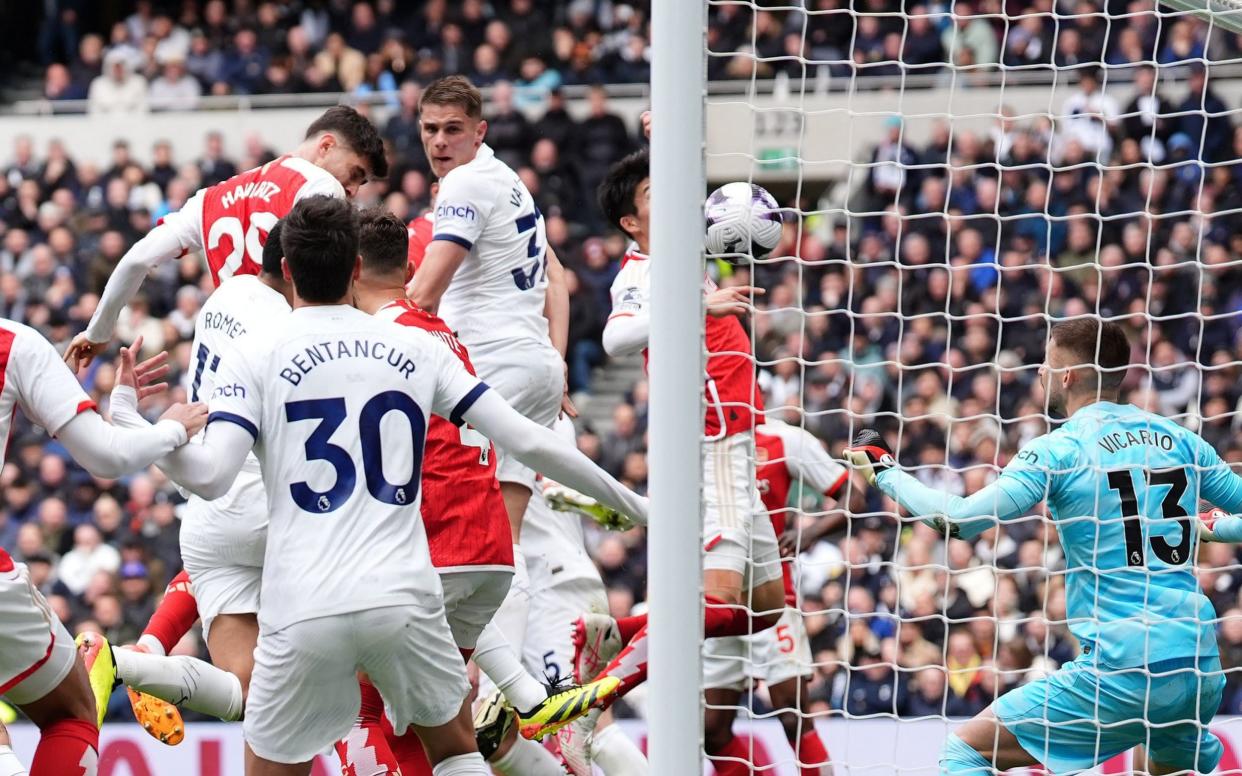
[{"x": 773, "y": 656}]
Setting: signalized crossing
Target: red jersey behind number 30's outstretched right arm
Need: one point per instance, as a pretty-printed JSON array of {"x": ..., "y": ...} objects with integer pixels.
[{"x": 463, "y": 508}]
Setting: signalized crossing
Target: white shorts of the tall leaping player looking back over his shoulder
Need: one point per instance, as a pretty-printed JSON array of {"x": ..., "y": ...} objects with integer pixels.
[{"x": 531, "y": 377}]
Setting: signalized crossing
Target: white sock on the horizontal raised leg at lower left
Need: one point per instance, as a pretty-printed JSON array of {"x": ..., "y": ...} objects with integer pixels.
[{"x": 182, "y": 681}]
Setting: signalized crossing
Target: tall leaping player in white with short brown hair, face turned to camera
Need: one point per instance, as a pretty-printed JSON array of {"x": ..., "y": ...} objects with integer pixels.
[{"x": 490, "y": 275}]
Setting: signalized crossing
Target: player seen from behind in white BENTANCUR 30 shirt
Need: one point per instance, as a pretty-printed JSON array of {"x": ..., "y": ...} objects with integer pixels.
[{"x": 321, "y": 399}]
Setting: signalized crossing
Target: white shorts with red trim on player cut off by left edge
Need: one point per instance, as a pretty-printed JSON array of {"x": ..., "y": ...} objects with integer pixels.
[{"x": 37, "y": 652}]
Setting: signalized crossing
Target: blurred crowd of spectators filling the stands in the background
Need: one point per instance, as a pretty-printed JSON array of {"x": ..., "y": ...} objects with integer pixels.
[{"x": 925, "y": 315}]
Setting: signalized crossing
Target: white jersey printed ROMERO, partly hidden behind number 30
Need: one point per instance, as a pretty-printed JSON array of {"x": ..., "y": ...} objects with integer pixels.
[{"x": 243, "y": 307}]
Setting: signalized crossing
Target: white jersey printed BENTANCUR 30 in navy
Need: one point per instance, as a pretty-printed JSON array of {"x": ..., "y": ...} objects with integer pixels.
[{"x": 338, "y": 402}]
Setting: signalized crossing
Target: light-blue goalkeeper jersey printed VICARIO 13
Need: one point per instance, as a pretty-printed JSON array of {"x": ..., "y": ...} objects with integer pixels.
[{"x": 1123, "y": 487}]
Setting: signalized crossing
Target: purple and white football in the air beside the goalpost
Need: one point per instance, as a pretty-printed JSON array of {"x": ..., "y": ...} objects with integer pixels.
[{"x": 743, "y": 220}]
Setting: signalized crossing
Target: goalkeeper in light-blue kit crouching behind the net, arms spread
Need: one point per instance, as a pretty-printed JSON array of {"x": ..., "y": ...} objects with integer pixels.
[{"x": 1122, "y": 486}]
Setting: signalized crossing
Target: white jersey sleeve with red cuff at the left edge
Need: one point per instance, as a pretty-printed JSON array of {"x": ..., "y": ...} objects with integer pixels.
[{"x": 33, "y": 377}]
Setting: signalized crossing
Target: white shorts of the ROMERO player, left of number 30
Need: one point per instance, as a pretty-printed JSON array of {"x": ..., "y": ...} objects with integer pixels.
[{"x": 223, "y": 546}]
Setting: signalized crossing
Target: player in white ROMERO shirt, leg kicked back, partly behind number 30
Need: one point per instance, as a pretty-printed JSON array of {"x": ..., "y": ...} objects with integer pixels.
[{"x": 223, "y": 541}]
